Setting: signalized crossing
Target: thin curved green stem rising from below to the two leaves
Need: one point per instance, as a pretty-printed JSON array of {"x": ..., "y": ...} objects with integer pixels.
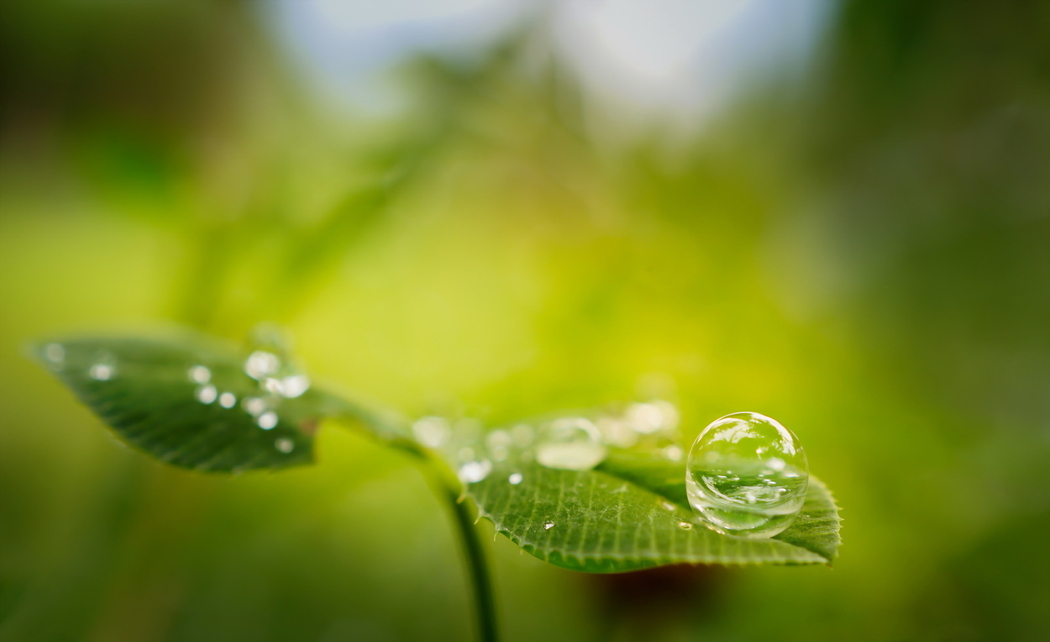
[{"x": 474, "y": 553}]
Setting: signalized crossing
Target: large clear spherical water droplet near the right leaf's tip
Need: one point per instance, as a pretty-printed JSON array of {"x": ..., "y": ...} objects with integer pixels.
[{"x": 729, "y": 472}]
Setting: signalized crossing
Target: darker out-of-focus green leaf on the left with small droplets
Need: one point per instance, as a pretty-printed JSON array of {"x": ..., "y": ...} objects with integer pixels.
[{"x": 188, "y": 401}]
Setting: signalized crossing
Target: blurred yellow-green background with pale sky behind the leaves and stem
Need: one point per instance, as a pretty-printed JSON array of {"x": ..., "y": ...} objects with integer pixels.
[{"x": 453, "y": 216}]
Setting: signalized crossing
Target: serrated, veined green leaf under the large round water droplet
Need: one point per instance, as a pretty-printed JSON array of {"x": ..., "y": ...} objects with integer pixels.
[{"x": 633, "y": 513}]
